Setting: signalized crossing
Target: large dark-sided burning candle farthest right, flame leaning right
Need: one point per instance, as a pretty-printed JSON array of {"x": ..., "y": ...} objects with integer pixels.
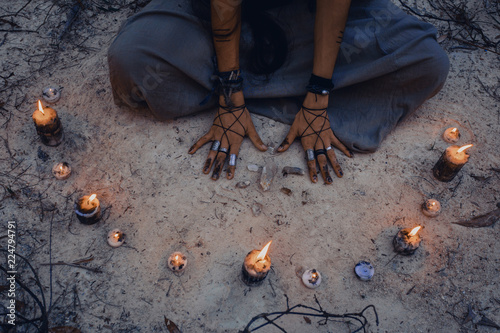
[{"x": 450, "y": 163}]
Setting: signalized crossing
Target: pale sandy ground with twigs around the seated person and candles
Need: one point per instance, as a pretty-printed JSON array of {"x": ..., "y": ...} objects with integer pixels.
[{"x": 156, "y": 193}]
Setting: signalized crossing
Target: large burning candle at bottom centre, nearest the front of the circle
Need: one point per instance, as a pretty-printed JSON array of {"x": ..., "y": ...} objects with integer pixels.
[{"x": 256, "y": 266}]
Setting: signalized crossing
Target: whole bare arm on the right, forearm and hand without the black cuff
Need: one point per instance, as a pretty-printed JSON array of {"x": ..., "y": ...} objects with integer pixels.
[{"x": 312, "y": 124}]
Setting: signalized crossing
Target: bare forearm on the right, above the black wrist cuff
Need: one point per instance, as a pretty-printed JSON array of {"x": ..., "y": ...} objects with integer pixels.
[{"x": 331, "y": 17}]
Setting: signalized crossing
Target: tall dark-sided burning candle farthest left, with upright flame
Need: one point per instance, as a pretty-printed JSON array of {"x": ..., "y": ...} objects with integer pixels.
[{"x": 48, "y": 126}]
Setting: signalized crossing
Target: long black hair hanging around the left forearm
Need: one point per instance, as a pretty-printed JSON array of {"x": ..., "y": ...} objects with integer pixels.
[{"x": 270, "y": 47}]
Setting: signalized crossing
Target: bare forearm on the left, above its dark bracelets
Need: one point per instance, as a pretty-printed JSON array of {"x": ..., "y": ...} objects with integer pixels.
[{"x": 226, "y": 29}]
